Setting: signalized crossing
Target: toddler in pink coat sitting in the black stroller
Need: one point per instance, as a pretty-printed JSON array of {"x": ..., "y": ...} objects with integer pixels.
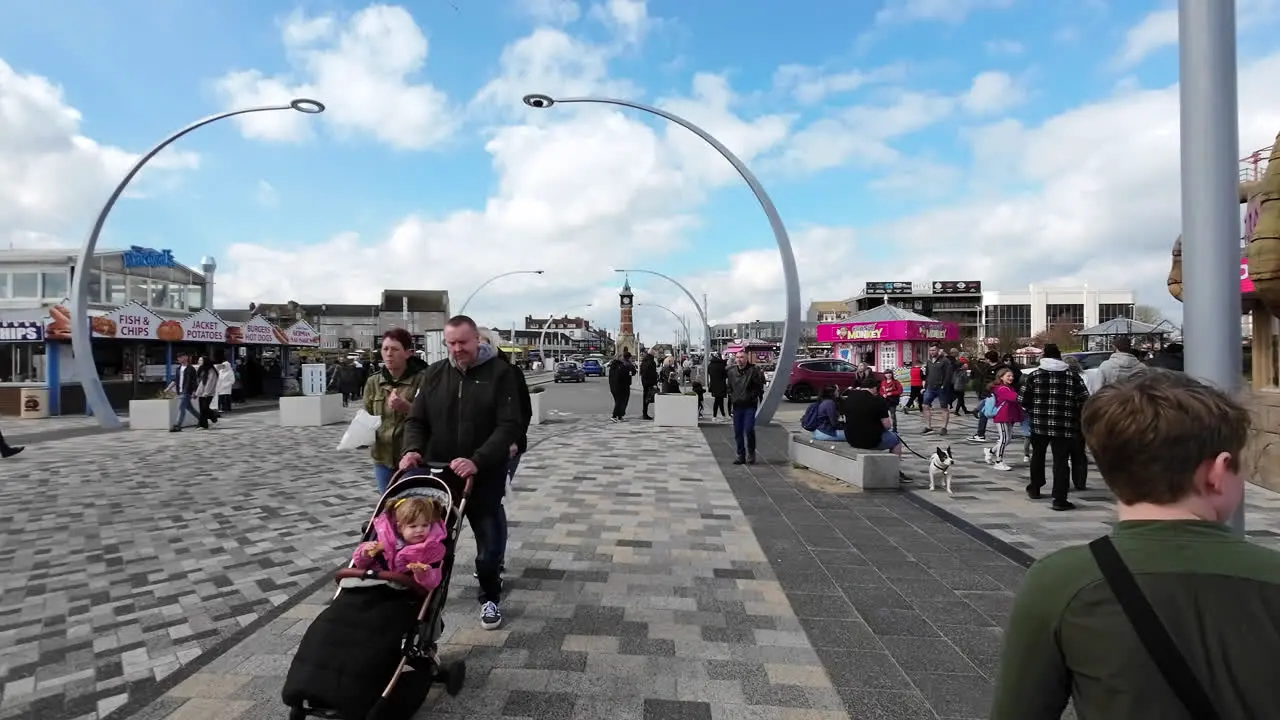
[{"x": 410, "y": 540}]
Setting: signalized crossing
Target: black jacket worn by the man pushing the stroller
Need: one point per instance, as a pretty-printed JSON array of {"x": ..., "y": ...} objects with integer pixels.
[{"x": 476, "y": 416}]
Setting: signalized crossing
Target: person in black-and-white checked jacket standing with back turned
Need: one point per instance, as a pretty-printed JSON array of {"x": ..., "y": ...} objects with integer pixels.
[{"x": 1053, "y": 398}]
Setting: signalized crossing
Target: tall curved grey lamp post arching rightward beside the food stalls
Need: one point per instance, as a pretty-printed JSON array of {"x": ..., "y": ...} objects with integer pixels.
[{"x": 83, "y": 348}]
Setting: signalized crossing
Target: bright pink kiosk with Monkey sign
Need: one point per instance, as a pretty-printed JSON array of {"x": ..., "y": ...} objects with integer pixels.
[{"x": 893, "y": 336}]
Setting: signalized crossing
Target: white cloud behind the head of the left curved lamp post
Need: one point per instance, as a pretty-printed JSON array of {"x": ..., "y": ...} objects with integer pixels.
[{"x": 363, "y": 69}]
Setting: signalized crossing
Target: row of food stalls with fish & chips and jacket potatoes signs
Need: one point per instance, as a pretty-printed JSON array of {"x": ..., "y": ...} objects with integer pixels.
[{"x": 135, "y": 352}]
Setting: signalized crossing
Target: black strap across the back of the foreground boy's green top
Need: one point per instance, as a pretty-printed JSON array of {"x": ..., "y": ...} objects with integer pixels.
[{"x": 1153, "y": 634}]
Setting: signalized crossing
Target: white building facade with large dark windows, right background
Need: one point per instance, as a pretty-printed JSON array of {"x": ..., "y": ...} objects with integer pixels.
[{"x": 1023, "y": 313}]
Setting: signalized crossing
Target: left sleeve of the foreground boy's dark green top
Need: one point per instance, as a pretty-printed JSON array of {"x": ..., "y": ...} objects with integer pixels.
[{"x": 1034, "y": 682}]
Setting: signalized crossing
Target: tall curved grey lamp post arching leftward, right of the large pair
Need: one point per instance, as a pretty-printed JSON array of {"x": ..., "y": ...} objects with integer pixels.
[{"x": 792, "y": 330}]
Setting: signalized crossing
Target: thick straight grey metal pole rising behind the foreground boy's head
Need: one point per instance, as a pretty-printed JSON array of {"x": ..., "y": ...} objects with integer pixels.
[{"x": 1212, "y": 215}]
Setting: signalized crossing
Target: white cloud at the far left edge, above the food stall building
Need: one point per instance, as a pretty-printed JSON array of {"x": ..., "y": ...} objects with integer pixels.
[{"x": 54, "y": 180}]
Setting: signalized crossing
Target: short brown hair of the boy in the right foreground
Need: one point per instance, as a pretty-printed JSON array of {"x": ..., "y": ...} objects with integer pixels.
[{"x": 1153, "y": 431}]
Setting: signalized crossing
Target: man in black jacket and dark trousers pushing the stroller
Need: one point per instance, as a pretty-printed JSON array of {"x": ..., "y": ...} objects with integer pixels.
[{"x": 469, "y": 416}]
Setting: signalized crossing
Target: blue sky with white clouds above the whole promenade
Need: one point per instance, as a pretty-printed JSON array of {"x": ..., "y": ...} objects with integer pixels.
[{"x": 1004, "y": 142}]
